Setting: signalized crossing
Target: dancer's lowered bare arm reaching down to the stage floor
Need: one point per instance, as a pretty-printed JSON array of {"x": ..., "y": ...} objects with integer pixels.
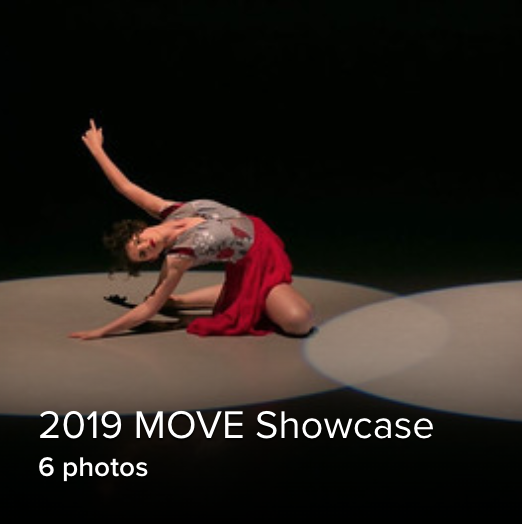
[{"x": 175, "y": 267}]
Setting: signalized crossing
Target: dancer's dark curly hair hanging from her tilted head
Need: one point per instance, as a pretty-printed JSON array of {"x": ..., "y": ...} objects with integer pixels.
[{"x": 116, "y": 242}]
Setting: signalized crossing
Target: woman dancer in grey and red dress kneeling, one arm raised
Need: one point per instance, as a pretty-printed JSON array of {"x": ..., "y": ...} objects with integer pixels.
[{"x": 257, "y": 296}]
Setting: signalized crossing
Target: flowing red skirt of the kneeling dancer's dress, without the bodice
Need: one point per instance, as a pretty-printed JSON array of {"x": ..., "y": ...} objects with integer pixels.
[{"x": 240, "y": 309}]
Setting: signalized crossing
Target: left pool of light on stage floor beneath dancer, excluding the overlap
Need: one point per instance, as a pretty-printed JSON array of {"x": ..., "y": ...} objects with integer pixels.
[{"x": 42, "y": 369}]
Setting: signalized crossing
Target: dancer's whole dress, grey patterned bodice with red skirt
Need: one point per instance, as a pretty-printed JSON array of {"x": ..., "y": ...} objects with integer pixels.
[{"x": 255, "y": 263}]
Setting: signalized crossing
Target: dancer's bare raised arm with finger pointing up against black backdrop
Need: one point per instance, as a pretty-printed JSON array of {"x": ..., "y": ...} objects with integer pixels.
[{"x": 152, "y": 204}]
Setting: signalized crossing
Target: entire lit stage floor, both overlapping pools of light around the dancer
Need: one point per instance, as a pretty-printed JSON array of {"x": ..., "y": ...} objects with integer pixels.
[{"x": 456, "y": 350}]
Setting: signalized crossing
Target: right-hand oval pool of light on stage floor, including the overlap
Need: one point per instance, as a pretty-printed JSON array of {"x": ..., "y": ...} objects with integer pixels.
[{"x": 457, "y": 350}]
